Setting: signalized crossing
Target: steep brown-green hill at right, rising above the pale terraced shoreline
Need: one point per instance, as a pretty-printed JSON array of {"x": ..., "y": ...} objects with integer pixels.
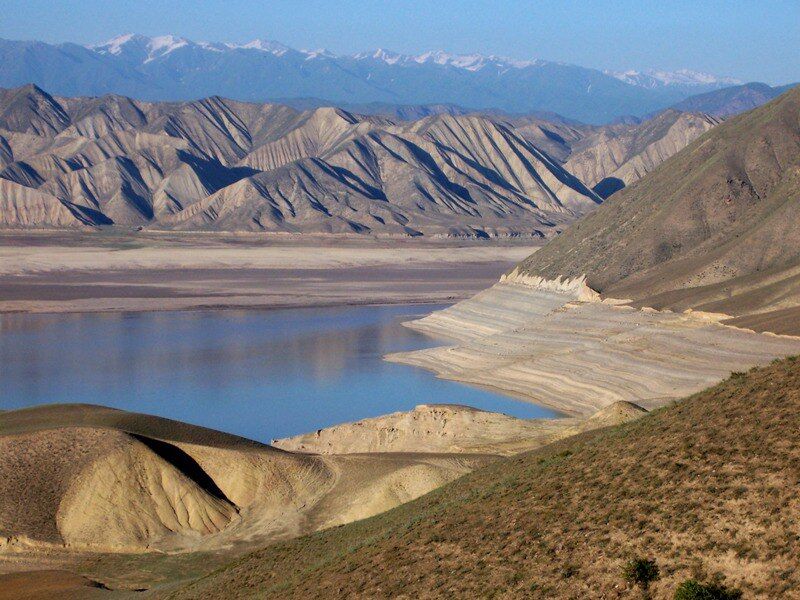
[{"x": 715, "y": 227}]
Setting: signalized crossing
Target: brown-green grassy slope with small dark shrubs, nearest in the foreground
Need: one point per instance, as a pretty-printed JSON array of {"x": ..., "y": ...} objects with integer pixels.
[{"x": 706, "y": 487}]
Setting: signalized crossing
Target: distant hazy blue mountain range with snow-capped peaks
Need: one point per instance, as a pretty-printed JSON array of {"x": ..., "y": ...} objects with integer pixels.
[{"x": 176, "y": 69}]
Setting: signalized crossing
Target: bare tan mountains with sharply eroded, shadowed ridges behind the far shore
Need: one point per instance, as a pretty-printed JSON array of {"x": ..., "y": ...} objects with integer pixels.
[{"x": 222, "y": 165}]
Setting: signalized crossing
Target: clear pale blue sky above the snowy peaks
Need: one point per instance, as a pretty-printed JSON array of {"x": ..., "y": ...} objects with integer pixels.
[{"x": 750, "y": 40}]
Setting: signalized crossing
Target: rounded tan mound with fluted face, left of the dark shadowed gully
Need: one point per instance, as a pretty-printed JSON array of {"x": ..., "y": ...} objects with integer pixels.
[{"x": 103, "y": 489}]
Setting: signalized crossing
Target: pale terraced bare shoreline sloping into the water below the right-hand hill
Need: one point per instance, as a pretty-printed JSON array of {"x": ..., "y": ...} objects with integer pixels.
[{"x": 556, "y": 343}]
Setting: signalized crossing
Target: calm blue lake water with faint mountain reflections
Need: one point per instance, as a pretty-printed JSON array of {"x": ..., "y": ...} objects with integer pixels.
[{"x": 259, "y": 374}]
